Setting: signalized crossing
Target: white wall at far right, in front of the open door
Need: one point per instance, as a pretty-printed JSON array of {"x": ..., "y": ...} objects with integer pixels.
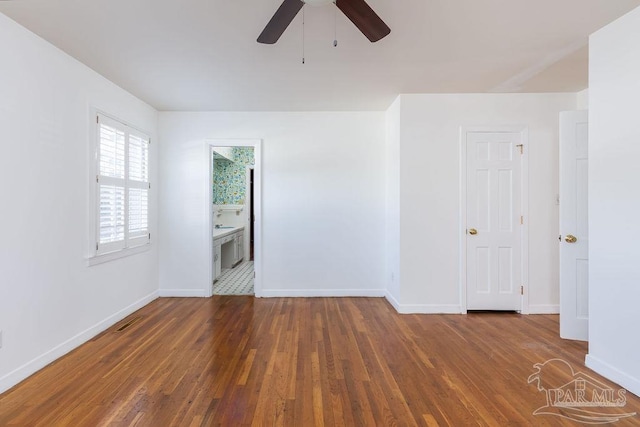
[{"x": 614, "y": 201}]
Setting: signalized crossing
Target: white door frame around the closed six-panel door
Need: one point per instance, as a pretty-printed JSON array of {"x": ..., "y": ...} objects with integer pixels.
[{"x": 524, "y": 203}]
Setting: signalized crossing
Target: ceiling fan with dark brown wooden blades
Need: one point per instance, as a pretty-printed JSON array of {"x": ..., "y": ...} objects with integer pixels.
[{"x": 358, "y": 11}]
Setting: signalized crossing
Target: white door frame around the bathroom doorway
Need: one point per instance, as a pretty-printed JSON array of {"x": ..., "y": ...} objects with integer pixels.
[{"x": 257, "y": 207}]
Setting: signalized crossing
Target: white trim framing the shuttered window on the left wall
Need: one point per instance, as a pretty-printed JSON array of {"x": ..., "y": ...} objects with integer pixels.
[{"x": 131, "y": 245}]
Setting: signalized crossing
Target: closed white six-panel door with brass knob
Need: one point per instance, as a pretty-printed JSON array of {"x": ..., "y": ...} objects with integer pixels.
[{"x": 493, "y": 220}]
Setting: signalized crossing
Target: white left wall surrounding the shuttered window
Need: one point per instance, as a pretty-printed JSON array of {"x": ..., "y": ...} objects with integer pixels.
[{"x": 50, "y": 301}]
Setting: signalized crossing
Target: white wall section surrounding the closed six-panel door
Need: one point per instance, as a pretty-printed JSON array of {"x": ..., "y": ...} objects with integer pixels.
[{"x": 429, "y": 207}]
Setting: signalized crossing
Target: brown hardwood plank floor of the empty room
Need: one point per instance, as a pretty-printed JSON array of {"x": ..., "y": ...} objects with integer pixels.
[{"x": 236, "y": 360}]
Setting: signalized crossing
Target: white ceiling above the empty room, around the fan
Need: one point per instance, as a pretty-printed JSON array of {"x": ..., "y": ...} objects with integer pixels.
[{"x": 202, "y": 54}]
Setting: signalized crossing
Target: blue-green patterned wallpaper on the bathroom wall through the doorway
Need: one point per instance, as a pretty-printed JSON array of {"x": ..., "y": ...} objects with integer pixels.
[{"x": 229, "y": 177}]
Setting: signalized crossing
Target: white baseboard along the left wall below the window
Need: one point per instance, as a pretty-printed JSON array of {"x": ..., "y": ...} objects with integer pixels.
[{"x": 31, "y": 367}]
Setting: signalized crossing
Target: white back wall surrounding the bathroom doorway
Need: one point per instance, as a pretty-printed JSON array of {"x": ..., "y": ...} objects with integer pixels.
[{"x": 323, "y": 200}]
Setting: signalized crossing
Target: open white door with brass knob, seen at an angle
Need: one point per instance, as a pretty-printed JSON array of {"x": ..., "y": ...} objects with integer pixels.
[{"x": 574, "y": 238}]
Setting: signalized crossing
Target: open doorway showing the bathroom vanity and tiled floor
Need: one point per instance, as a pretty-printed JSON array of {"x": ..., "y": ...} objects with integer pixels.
[{"x": 234, "y": 214}]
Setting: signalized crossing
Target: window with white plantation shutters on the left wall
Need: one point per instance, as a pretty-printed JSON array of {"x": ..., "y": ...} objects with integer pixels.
[{"x": 122, "y": 192}]
